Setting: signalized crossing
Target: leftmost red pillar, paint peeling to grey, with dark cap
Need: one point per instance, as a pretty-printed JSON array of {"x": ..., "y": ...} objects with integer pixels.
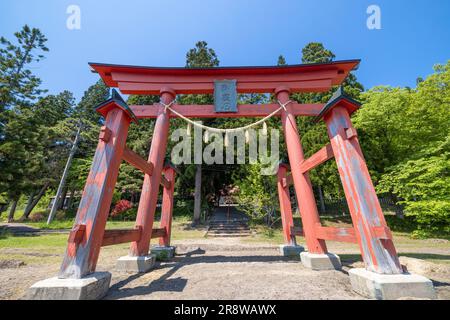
[{"x": 86, "y": 237}]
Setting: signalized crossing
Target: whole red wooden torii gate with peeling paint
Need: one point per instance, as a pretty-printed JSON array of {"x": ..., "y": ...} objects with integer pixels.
[{"x": 369, "y": 230}]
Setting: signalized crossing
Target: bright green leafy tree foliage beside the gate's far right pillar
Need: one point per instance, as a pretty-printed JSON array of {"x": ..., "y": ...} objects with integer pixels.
[{"x": 405, "y": 137}]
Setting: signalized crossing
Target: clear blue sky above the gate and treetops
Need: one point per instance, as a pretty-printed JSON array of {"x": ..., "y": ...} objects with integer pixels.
[{"x": 415, "y": 34}]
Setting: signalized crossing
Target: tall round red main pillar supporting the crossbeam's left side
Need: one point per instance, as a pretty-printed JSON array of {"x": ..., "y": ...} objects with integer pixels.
[{"x": 150, "y": 188}]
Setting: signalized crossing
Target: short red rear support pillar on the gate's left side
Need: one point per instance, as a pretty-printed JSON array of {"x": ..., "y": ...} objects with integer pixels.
[{"x": 167, "y": 206}]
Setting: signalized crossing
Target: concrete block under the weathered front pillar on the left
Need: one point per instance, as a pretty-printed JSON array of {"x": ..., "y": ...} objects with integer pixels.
[{"x": 92, "y": 287}]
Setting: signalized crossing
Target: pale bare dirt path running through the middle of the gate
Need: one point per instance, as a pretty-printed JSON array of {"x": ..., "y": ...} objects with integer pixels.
[{"x": 210, "y": 274}]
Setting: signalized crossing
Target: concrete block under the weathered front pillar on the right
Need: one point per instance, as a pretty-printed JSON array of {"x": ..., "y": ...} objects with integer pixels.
[{"x": 390, "y": 286}]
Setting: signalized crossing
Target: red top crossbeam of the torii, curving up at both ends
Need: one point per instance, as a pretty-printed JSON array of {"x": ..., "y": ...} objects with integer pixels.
[{"x": 317, "y": 77}]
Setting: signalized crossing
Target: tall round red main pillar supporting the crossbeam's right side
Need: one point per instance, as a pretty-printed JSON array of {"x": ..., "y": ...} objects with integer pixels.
[{"x": 302, "y": 184}]
